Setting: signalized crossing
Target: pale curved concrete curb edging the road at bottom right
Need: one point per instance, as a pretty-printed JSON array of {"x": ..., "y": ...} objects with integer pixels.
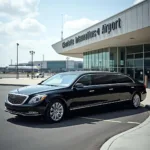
[{"x": 107, "y": 145}]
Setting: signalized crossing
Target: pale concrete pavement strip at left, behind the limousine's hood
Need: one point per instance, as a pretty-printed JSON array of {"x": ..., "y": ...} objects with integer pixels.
[{"x": 20, "y": 81}]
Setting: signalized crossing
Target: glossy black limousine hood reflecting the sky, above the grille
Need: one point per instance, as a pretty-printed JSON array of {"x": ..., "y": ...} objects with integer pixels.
[{"x": 28, "y": 90}]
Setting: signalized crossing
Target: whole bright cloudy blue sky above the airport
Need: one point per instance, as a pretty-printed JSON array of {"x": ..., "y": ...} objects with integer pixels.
[{"x": 37, "y": 24}]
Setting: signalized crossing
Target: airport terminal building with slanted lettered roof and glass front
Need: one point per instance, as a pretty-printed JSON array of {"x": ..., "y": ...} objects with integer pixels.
[{"x": 120, "y": 43}]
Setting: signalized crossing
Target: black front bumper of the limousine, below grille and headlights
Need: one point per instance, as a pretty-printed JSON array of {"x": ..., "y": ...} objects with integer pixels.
[{"x": 25, "y": 110}]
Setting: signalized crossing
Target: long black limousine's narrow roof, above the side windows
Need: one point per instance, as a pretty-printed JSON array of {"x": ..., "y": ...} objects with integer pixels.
[{"x": 91, "y": 72}]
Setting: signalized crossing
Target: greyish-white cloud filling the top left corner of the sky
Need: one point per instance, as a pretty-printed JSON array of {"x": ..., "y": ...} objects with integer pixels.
[{"x": 19, "y": 8}]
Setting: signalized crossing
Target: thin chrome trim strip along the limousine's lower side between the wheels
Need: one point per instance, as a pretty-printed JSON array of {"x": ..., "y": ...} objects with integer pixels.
[{"x": 97, "y": 104}]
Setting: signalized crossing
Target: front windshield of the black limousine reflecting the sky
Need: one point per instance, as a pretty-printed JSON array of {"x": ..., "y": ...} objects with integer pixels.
[{"x": 60, "y": 80}]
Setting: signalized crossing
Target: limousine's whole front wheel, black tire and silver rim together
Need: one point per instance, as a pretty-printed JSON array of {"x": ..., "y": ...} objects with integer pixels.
[{"x": 55, "y": 111}]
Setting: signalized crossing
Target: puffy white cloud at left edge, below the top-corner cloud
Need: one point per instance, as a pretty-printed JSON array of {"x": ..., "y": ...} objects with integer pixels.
[{"x": 28, "y": 25}]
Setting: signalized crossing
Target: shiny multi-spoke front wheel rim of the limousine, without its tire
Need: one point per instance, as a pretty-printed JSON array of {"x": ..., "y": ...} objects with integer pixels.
[{"x": 56, "y": 111}]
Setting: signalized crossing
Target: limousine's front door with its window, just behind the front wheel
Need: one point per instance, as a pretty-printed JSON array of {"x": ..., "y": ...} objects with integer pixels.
[{"x": 82, "y": 96}]
